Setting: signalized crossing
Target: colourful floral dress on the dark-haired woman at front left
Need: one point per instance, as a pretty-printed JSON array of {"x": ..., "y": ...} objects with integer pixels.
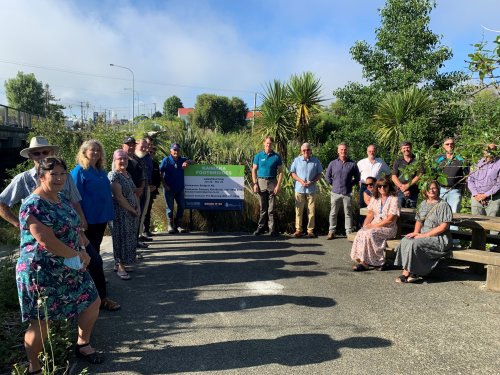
[{"x": 47, "y": 288}]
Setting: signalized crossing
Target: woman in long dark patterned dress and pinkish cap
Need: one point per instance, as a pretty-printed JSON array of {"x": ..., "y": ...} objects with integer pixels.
[{"x": 127, "y": 212}]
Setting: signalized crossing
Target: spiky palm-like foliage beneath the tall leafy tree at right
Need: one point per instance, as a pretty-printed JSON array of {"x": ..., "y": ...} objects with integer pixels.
[{"x": 394, "y": 111}]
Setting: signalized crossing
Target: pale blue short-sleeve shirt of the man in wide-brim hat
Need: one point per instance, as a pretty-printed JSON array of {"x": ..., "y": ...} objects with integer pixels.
[{"x": 24, "y": 183}]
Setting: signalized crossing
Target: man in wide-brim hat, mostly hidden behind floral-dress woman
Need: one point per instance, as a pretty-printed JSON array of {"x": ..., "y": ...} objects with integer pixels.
[{"x": 24, "y": 183}]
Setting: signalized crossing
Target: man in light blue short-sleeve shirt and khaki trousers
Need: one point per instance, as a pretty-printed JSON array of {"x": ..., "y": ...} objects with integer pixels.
[{"x": 306, "y": 171}]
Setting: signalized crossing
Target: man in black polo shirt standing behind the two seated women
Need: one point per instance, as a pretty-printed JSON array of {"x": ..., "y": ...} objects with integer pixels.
[{"x": 407, "y": 188}]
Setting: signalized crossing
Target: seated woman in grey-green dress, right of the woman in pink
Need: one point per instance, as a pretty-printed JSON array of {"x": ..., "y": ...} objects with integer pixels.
[{"x": 419, "y": 252}]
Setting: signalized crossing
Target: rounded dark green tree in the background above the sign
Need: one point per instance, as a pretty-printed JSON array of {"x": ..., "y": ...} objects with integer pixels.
[{"x": 219, "y": 113}]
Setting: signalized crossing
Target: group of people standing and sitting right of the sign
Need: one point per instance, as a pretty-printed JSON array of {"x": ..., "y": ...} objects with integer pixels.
[{"x": 384, "y": 191}]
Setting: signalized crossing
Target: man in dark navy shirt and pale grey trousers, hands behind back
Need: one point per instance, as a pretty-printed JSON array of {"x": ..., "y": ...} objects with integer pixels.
[{"x": 342, "y": 173}]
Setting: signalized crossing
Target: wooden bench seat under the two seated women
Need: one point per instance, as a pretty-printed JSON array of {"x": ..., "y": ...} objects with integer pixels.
[{"x": 489, "y": 259}]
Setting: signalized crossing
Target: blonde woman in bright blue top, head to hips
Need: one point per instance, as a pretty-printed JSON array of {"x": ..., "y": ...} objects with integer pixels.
[{"x": 92, "y": 182}]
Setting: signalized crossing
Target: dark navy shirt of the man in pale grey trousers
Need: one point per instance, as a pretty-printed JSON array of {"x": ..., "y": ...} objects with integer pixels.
[{"x": 342, "y": 176}]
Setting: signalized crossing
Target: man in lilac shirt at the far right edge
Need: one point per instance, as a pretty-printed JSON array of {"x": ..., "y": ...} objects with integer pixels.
[{"x": 484, "y": 183}]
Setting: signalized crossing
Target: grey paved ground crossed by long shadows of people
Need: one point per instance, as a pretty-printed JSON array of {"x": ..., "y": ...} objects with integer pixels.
[{"x": 238, "y": 304}]
